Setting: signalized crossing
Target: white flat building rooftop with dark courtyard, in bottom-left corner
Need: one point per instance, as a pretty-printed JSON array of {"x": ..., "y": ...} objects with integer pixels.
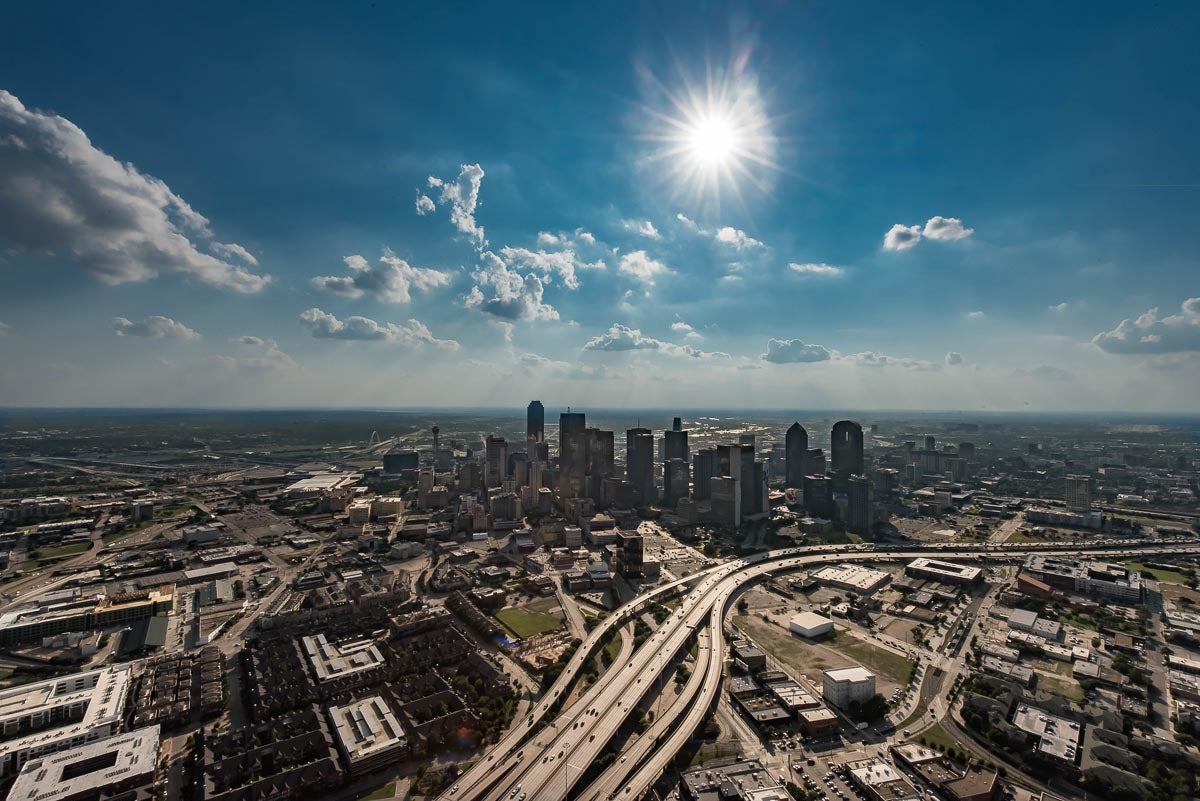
[{"x": 92, "y": 767}]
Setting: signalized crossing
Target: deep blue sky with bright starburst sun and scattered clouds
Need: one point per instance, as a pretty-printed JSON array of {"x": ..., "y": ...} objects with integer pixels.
[{"x": 764, "y": 206}]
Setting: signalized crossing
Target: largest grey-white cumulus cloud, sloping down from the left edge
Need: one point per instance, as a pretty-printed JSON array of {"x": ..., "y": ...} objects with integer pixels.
[{"x": 61, "y": 195}]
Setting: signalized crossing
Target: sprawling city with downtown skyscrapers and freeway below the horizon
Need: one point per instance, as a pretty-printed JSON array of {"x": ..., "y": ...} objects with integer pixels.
[{"x": 596, "y": 605}]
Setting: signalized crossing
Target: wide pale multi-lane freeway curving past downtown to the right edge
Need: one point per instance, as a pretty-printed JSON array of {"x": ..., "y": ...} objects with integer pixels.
[{"x": 545, "y": 755}]
